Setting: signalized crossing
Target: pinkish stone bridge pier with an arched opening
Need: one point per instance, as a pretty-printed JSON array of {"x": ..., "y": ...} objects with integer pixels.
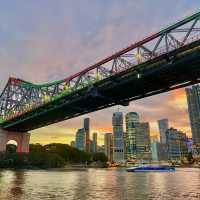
[{"x": 21, "y": 138}]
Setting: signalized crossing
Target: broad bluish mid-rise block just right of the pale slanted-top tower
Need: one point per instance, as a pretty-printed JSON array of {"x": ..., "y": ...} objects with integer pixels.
[{"x": 176, "y": 144}]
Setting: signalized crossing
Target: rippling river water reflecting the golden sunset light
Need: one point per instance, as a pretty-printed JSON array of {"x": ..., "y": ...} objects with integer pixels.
[{"x": 92, "y": 184}]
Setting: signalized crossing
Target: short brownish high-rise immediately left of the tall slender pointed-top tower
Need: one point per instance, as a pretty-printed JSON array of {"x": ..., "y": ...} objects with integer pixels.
[{"x": 108, "y": 144}]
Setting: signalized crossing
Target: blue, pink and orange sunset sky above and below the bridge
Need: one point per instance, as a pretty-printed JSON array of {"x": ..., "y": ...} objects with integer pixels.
[{"x": 43, "y": 41}]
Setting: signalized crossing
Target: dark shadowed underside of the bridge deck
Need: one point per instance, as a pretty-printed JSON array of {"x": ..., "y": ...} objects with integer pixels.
[{"x": 170, "y": 71}]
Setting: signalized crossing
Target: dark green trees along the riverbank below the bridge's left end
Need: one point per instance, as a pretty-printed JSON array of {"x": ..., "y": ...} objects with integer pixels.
[{"x": 54, "y": 155}]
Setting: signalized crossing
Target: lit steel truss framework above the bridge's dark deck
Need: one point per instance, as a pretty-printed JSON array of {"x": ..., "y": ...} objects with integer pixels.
[{"x": 20, "y": 97}]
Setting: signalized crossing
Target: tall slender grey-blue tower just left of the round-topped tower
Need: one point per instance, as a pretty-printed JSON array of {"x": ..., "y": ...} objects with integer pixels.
[{"x": 118, "y": 137}]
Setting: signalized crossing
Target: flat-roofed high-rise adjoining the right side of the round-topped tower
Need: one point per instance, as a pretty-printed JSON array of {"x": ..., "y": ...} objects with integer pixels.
[{"x": 143, "y": 143}]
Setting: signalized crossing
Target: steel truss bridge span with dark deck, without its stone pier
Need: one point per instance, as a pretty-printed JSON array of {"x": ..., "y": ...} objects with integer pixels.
[{"x": 164, "y": 61}]
